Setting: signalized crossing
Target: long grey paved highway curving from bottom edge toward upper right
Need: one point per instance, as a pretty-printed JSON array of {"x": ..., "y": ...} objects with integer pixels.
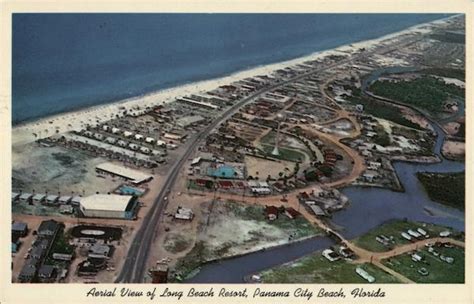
[{"x": 134, "y": 267}]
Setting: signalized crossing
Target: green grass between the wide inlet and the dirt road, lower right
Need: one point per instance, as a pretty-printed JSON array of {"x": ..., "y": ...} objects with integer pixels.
[{"x": 394, "y": 228}]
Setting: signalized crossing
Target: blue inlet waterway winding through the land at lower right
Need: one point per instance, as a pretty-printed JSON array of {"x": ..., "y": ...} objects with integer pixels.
[{"x": 369, "y": 208}]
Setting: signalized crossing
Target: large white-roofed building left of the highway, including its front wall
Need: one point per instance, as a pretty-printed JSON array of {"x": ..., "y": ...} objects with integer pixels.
[{"x": 109, "y": 206}]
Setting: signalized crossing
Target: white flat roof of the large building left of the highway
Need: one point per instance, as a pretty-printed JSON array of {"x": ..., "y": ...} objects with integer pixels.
[{"x": 107, "y": 202}]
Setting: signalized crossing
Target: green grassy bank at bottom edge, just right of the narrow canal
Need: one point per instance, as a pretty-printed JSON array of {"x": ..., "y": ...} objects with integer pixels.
[{"x": 317, "y": 269}]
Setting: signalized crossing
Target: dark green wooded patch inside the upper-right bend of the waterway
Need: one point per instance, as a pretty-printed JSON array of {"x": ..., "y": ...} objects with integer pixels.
[{"x": 426, "y": 92}]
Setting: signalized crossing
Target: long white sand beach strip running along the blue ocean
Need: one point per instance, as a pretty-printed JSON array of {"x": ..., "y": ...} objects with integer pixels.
[{"x": 23, "y": 133}]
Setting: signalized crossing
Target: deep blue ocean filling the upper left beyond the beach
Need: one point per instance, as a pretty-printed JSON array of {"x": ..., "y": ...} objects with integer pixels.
[{"x": 63, "y": 62}]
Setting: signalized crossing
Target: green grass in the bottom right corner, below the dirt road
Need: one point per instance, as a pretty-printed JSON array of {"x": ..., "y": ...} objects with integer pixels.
[{"x": 439, "y": 271}]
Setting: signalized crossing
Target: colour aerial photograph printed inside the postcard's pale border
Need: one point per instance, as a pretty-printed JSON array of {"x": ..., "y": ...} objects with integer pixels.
[{"x": 238, "y": 148}]
